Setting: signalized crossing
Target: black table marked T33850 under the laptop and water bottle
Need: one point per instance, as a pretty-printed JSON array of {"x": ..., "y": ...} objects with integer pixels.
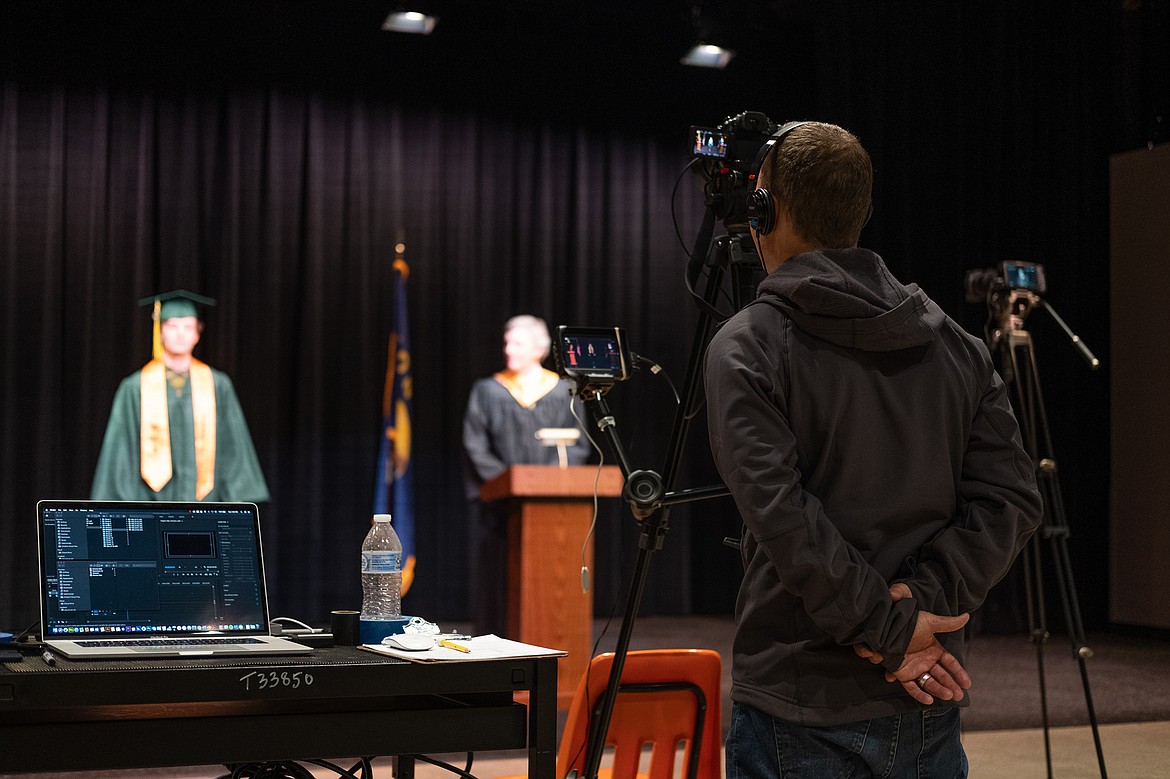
[{"x": 336, "y": 704}]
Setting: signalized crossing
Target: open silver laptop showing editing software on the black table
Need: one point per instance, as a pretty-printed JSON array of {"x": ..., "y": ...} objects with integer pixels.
[{"x": 140, "y": 580}]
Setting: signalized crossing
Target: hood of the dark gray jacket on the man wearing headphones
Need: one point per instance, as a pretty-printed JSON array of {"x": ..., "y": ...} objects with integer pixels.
[{"x": 850, "y": 299}]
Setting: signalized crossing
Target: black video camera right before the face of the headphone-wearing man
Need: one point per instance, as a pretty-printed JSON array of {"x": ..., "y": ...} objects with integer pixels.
[{"x": 729, "y": 153}]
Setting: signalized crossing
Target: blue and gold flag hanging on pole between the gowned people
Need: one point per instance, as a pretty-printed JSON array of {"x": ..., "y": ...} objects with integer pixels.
[{"x": 395, "y": 488}]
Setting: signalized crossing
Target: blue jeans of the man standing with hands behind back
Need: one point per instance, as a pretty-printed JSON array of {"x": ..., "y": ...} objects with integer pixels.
[{"x": 916, "y": 746}]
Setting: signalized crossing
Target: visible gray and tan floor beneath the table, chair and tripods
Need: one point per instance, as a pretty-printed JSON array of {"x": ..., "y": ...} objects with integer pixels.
[{"x": 1130, "y": 683}]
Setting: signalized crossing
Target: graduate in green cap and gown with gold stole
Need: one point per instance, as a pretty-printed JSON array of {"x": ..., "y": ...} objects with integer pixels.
[{"x": 177, "y": 431}]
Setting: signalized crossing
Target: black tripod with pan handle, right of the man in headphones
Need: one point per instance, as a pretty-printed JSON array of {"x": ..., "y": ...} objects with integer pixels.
[{"x": 1021, "y": 373}]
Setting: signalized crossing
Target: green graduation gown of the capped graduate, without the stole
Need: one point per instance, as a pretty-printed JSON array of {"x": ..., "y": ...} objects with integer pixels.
[{"x": 238, "y": 475}]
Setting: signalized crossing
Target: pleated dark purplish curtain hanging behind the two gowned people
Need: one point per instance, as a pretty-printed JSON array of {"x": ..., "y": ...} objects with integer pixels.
[{"x": 287, "y": 208}]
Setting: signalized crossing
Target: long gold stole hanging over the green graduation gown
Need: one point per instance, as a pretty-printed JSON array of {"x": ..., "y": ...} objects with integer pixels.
[{"x": 155, "y": 440}]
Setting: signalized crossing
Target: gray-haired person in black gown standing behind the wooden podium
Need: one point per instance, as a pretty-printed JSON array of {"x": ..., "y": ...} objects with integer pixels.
[{"x": 504, "y": 413}]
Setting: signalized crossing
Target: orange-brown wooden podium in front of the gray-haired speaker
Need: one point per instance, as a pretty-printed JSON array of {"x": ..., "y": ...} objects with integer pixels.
[{"x": 549, "y": 514}]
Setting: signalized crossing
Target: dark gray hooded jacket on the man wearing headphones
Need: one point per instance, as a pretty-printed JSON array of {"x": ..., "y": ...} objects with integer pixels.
[{"x": 866, "y": 440}]
